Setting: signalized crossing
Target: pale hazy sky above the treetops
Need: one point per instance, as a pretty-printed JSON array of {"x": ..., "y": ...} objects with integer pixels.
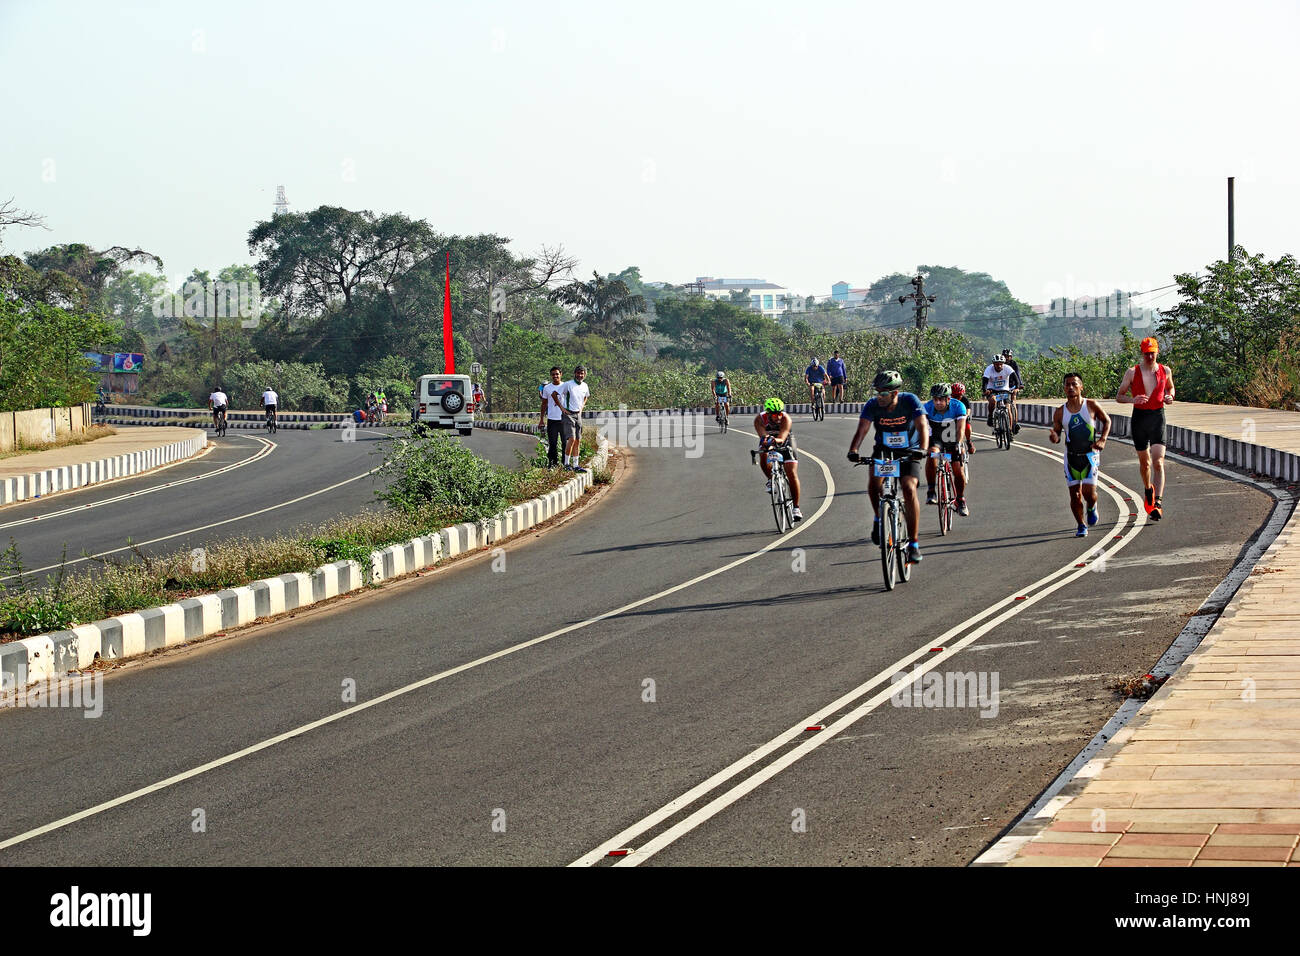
[{"x": 1064, "y": 149}]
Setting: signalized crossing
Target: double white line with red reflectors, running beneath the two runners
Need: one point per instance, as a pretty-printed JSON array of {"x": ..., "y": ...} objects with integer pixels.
[{"x": 629, "y": 836}]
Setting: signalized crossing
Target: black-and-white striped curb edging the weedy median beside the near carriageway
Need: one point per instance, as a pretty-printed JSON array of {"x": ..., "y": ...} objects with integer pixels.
[{"x": 47, "y": 656}]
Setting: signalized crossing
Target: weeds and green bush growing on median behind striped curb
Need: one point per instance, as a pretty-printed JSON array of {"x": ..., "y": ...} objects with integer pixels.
[{"x": 430, "y": 483}]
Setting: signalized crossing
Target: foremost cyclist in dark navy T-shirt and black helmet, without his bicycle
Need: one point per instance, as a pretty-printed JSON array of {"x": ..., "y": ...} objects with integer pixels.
[{"x": 900, "y": 425}]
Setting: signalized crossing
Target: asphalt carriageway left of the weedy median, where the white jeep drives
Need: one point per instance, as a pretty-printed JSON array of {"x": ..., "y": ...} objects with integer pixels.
[{"x": 304, "y": 478}]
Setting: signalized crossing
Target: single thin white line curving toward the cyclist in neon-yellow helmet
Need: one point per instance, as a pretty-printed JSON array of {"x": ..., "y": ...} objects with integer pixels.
[{"x": 426, "y": 682}]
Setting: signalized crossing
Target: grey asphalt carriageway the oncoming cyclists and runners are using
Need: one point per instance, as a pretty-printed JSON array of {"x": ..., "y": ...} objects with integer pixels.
[{"x": 548, "y": 752}]
